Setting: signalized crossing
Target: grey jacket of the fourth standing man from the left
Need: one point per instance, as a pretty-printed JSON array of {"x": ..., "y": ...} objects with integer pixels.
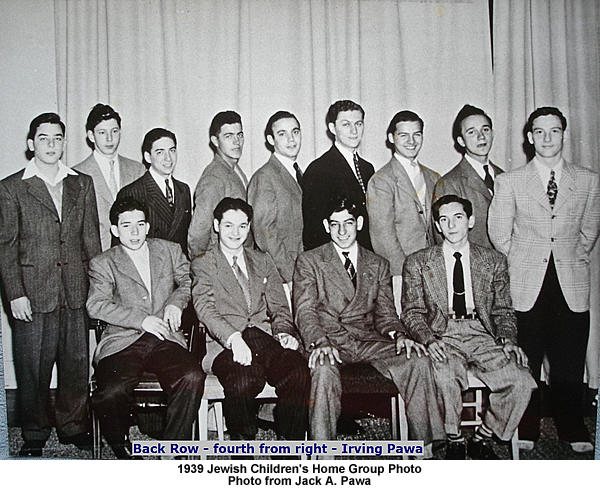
[{"x": 218, "y": 180}]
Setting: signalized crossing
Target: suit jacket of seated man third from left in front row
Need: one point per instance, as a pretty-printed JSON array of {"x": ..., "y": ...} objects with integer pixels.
[{"x": 326, "y": 305}]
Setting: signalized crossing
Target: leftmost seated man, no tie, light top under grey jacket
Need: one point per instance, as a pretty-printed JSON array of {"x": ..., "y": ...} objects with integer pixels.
[{"x": 139, "y": 288}]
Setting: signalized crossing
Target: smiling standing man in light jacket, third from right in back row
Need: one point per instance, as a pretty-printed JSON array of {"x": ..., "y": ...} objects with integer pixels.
[{"x": 399, "y": 198}]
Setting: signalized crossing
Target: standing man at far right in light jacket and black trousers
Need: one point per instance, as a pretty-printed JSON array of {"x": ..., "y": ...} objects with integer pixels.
[{"x": 545, "y": 216}]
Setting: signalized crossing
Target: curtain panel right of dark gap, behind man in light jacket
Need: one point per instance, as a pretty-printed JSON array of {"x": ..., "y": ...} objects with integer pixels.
[{"x": 547, "y": 53}]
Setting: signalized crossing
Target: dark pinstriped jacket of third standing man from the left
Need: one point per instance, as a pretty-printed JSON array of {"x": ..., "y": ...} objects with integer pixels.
[{"x": 170, "y": 223}]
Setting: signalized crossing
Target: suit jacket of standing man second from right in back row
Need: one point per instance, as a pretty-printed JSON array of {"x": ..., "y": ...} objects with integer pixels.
[{"x": 464, "y": 181}]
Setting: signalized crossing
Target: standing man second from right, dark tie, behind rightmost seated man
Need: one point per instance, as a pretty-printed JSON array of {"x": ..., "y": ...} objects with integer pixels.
[{"x": 473, "y": 178}]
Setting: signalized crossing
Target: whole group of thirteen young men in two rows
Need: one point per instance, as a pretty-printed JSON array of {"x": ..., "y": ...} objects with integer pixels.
[{"x": 297, "y": 273}]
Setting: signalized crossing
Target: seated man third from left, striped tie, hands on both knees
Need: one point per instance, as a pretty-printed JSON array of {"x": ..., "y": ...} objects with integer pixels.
[{"x": 344, "y": 309}]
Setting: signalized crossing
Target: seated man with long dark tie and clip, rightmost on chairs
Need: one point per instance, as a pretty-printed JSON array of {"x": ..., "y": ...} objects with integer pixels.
[{"x": 456, "y": 300}]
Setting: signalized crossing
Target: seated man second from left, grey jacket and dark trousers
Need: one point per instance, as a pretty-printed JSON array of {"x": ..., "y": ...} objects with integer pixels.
[{"x": 238, "y": 295}]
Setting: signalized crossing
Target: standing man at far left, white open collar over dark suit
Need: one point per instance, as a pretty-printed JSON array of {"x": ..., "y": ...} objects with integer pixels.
[{"x": 48, "y": 232}]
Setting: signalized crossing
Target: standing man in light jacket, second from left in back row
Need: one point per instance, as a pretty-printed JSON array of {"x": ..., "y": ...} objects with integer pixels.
[{"x": 109, "y": 170}]
